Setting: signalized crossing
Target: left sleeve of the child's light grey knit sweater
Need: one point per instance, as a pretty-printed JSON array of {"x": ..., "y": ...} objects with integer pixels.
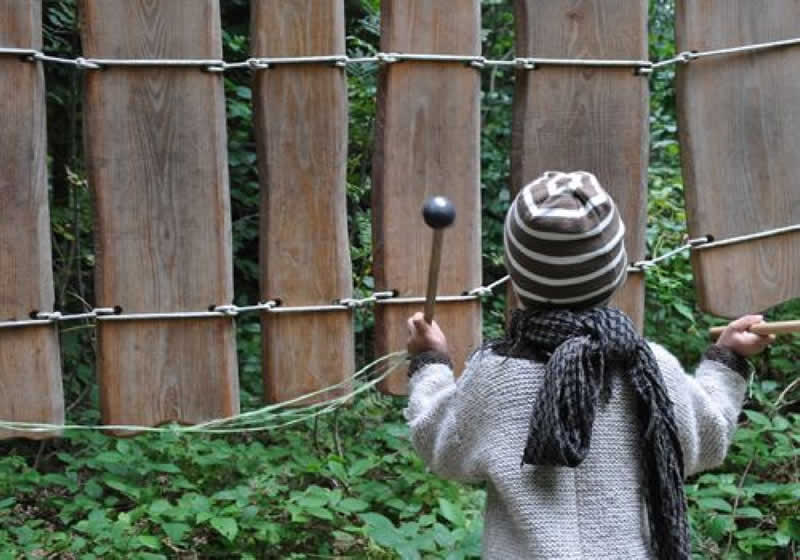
[{"x": 438, "y": 407}]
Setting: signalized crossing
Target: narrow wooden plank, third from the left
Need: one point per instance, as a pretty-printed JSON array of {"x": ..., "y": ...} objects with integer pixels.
[{"x": 301, "y": 129}]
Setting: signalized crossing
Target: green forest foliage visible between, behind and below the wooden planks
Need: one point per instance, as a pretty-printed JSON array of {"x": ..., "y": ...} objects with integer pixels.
[{"x": 349, "y": 485}]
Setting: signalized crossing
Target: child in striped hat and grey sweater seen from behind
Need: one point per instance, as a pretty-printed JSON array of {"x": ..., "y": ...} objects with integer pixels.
[{"x": 605, "y": 424}]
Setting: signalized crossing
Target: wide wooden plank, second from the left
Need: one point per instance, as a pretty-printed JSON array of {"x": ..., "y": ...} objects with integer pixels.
[{"x": 157, "y": 162}]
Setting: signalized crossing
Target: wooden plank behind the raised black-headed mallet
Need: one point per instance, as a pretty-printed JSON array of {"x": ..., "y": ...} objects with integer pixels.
[{"x": 427, "y": 144}]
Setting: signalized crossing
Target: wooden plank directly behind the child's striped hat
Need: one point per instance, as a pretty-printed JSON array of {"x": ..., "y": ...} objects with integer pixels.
[{"x": 569, "y": 119}]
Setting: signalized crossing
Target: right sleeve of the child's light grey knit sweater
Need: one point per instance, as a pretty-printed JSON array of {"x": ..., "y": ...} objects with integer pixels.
[{"x": 706, "y": 406}]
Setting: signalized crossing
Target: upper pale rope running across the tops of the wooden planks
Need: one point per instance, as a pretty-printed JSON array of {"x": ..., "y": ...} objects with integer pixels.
[{"x": 643, "y": 67}]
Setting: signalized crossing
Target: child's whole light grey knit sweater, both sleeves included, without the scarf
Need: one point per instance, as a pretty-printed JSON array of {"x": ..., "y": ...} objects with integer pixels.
[{"x": 474, "y": 430}]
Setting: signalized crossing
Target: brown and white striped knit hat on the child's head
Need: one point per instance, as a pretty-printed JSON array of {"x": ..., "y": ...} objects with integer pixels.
[{"x": 564, "y": 242}]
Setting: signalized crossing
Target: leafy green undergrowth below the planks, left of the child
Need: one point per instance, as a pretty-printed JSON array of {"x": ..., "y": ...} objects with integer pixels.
[{"x": 268, "y": 496}]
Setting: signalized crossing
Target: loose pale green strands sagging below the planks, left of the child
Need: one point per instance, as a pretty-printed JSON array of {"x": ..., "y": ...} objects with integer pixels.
[{"x": 260, "y": 420}]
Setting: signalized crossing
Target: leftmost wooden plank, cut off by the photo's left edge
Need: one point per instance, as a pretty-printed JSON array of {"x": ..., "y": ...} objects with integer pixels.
[{"x": 30, "y": 363}]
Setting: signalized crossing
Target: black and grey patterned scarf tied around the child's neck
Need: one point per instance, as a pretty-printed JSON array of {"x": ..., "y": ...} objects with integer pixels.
[{"x": 582, "y": 351}]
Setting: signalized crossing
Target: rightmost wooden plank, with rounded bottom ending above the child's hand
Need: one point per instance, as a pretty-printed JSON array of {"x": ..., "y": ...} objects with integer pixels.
[{"x": 739, "y": 125}]
